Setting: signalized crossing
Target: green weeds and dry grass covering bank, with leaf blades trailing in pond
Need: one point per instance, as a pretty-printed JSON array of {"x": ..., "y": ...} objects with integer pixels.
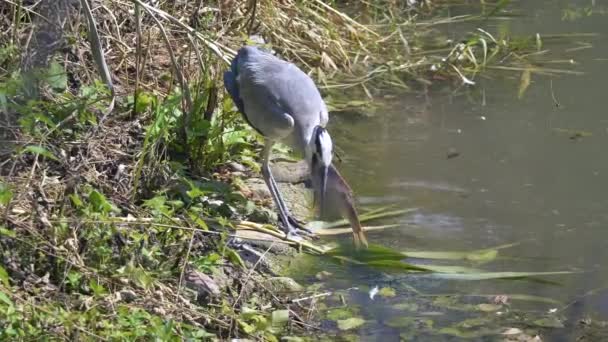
[{"x": 124, "y": 168}]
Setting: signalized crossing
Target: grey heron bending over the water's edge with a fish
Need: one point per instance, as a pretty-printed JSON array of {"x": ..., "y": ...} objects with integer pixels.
[{"x": 282, "y": 103}]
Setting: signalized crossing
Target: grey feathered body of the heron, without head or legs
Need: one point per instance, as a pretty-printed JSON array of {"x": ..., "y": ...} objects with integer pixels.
[{"x": 276, "y": 97}]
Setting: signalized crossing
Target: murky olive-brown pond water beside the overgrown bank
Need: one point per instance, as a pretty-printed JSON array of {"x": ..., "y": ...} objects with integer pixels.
[{"x": 517, "y": 173}]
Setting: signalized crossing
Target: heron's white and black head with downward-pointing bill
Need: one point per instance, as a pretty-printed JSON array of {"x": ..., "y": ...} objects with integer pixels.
[{"x": 320, "y": 147}]
